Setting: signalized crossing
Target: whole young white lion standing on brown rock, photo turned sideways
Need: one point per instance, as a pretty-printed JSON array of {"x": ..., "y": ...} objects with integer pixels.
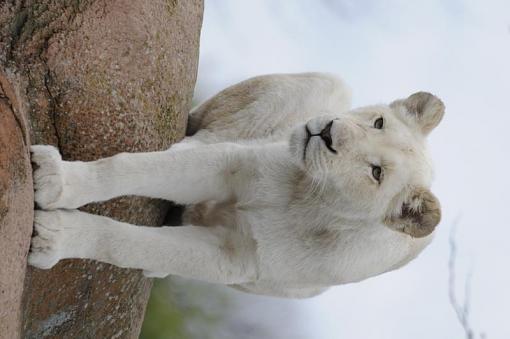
[{"x": 287, "y": 191}]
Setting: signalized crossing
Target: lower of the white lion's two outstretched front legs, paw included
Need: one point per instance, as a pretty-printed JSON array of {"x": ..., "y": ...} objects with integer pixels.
[{"x": 205, "y": 253}]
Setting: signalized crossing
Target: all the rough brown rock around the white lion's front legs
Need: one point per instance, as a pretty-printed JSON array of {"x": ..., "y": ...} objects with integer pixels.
[{"x": 94, "y": 78}]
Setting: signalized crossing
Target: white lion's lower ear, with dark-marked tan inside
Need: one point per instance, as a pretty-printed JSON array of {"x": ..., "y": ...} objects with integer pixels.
[{"x": 418, "y": 216}]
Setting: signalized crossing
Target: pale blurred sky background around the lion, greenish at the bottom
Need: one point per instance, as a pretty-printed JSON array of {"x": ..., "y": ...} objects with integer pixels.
[{"x": 458, "y": 50}]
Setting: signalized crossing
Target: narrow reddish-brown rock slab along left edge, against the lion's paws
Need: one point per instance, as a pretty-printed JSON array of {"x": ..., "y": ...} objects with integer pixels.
[{"x": 16, "y": 208}]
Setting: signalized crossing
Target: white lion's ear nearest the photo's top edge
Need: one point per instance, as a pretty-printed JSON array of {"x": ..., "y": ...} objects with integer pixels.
[{"x": 424, "y": 108}]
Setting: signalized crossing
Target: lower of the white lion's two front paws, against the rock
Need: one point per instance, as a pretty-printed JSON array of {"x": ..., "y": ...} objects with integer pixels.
[{"x": 47, "y": 240}]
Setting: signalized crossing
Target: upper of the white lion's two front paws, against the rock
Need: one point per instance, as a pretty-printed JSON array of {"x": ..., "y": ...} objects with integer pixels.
[{"x": 48, "y": 177}]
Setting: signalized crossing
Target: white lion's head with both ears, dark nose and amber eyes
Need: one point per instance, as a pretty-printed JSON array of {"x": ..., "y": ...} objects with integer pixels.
[{"x": 375, "y": 163}]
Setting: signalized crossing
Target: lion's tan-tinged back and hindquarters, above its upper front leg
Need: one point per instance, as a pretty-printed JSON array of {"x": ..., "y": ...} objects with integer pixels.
[{"x": 268, "y": 106}]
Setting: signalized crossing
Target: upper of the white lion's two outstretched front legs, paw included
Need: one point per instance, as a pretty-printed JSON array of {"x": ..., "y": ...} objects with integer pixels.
[{"x": 184, "y": 175}]
